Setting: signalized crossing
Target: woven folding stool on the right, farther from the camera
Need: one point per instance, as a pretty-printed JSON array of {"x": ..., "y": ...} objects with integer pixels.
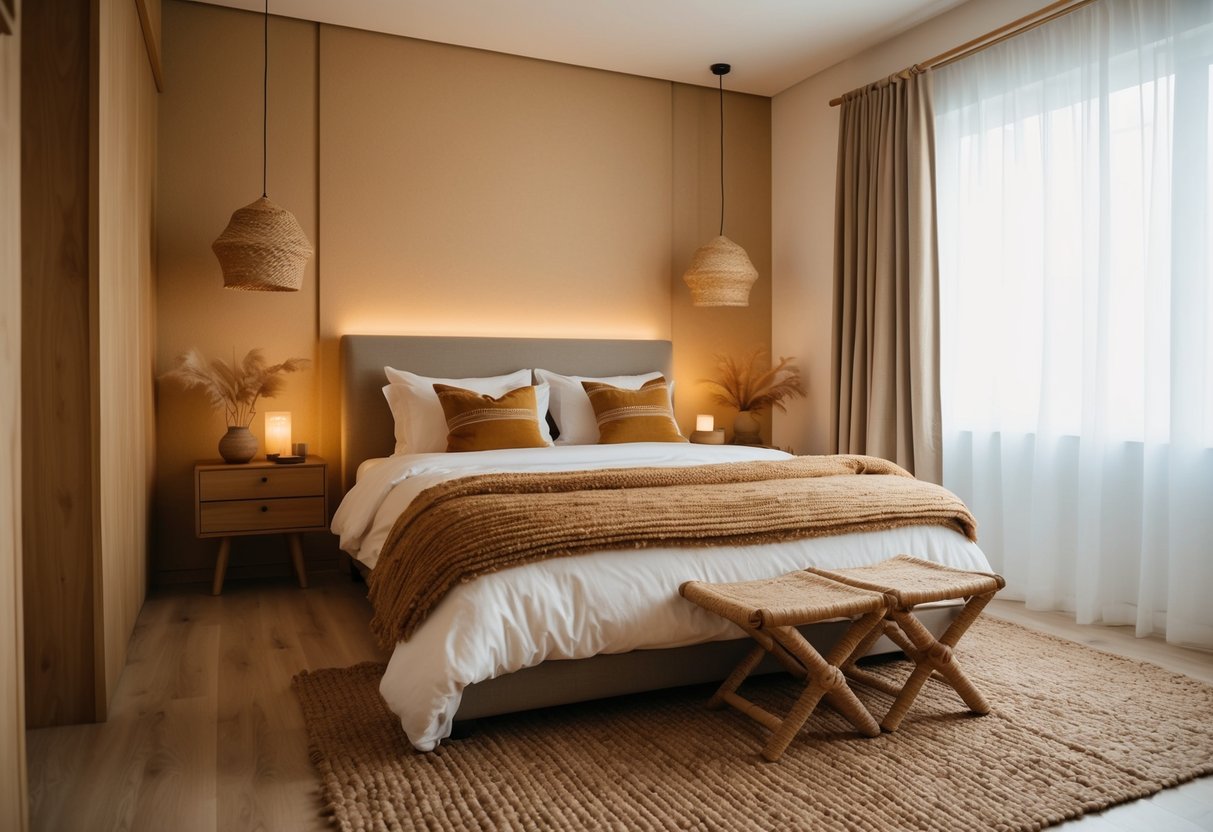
[{"x": 908, "y": 583}]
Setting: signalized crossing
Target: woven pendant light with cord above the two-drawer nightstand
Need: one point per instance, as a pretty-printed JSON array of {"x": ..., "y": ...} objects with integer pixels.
[{"x": 264, "y": 248}]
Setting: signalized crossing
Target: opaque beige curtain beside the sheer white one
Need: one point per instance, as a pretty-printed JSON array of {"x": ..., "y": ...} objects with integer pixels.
[{"x": 886, "y": 350}]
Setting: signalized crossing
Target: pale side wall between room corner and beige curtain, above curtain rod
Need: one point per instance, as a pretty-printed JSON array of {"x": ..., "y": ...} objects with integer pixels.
[{"x": 805, "y": 143}]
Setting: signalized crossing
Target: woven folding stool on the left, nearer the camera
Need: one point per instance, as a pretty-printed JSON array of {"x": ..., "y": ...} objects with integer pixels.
[{"x": 770, "y": 611}]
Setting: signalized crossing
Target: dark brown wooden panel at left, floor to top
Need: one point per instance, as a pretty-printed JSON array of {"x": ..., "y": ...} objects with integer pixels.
[{"x": 56, "y": 387}]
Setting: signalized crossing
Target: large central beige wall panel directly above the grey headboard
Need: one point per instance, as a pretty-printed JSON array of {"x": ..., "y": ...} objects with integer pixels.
[{"x": 476, "y": 193}]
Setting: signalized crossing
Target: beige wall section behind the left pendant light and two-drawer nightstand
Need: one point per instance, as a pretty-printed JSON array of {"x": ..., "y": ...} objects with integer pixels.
[{"x": 209, "y": 167}]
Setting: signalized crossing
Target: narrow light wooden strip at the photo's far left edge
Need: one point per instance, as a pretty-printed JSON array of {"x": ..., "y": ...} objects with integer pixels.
[{"x": 13, "y": 717}]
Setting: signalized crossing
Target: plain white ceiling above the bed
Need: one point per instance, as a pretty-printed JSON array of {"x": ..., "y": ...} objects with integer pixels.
[{"x": 772, "y": 44}]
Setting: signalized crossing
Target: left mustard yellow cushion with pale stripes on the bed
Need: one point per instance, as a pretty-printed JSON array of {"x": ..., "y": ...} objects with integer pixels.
[{"x": 479, "y": 423}]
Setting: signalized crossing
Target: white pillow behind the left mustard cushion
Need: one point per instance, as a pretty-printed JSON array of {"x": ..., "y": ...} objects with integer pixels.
[{"x": 420, "y": 424}]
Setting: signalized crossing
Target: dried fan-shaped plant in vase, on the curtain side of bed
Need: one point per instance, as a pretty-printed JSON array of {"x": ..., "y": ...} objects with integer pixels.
[{"x": 753, "y": 385}]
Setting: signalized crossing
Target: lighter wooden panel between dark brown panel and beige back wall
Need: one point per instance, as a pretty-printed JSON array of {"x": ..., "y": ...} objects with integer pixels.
[{"x": 124, "y": 316}]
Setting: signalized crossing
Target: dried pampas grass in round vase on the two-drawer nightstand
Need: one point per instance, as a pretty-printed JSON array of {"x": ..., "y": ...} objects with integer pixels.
[{"x": 235, "y": 390}]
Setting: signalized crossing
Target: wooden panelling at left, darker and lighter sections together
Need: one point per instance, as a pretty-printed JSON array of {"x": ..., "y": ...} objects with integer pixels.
[{"x": 89, "y": 124}]
